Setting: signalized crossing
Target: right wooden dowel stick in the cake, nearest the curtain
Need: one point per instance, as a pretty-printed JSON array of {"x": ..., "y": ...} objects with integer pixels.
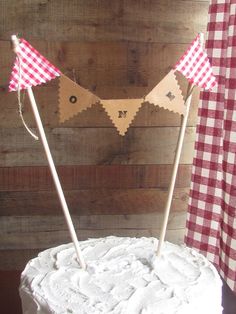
[{"x": 175, "y": 169}]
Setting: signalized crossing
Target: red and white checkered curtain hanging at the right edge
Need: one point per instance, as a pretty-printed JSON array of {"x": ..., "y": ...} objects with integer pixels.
[{"x": 211, "y": 219}]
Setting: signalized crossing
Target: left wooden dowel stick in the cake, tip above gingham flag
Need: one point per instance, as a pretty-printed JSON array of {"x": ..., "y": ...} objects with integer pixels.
[{"x": 53, "y": 170}]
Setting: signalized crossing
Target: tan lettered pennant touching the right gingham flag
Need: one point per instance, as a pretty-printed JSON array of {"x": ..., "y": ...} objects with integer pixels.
[{"x": 167, "y": 94}]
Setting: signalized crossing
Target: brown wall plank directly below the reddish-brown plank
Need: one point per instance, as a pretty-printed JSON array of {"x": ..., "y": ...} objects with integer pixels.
[{"x": 96, "y": 201}]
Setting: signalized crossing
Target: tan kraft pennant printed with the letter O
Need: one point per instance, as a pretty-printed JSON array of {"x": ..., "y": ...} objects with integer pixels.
[{"x": 73, "y": 98}]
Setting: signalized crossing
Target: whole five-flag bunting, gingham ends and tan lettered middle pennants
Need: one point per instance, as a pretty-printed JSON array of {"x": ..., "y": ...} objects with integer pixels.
[{"x": 31, "y": 69}]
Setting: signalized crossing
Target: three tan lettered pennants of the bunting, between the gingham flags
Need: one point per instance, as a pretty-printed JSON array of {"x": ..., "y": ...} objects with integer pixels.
[{"x": 73, "y": 99}]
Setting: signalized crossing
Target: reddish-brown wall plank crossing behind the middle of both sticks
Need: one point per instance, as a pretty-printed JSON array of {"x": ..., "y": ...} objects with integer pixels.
[{"x": 92, "y": 177}]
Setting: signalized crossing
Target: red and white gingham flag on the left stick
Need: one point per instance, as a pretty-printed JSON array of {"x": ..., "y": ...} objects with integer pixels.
[{"x": 30, "y": 68}]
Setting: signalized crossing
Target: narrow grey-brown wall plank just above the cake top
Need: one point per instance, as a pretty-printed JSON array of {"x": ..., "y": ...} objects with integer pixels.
[{"x": 40, "y": 223}]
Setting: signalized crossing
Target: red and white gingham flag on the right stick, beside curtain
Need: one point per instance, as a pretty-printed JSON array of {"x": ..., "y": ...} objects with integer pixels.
[{"x": 195, "y": 66}]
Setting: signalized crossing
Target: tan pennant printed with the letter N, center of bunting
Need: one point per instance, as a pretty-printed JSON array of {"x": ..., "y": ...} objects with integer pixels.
[{"x": 122, "y": 112}]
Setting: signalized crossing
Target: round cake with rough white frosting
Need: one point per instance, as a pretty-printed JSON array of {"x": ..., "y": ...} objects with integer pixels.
[{"x": 123, "y": 275}]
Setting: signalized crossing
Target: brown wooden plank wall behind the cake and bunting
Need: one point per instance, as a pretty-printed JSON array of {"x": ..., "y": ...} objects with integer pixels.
[{"x": 113, "y": 185}]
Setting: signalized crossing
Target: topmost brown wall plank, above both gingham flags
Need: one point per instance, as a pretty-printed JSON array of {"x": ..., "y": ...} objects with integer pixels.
[{"x": 86, "y": 20}]
